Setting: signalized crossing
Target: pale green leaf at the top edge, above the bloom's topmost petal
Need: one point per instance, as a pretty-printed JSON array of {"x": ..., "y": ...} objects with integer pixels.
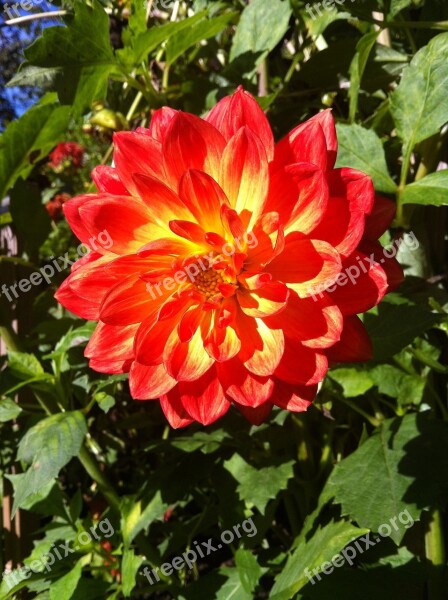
[{"x": 262, "y": 26}]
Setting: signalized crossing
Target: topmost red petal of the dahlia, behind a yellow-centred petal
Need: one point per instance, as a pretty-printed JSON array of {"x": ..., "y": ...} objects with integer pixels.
[{"x": 242, "y": 110}]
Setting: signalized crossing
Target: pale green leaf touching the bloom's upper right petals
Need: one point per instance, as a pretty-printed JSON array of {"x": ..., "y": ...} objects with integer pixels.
[{"x": 362, "y": 149}]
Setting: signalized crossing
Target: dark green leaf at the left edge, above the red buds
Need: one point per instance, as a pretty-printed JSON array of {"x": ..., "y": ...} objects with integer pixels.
[{"x": 28, "y": 139}]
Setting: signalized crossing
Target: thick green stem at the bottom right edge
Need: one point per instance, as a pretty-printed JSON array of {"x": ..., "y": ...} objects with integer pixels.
[{"x": 435, "y": 553}]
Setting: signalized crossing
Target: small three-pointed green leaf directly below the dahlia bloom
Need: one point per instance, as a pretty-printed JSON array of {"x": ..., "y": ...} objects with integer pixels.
[{"x": 258, "y": 486}]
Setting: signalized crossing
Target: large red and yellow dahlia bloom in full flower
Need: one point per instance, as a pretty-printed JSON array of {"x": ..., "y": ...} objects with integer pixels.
[{"x": 219, "y": 287}]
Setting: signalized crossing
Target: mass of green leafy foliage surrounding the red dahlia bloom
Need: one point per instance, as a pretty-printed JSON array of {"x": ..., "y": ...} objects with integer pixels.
[{"x": 293, "y": 493}]
